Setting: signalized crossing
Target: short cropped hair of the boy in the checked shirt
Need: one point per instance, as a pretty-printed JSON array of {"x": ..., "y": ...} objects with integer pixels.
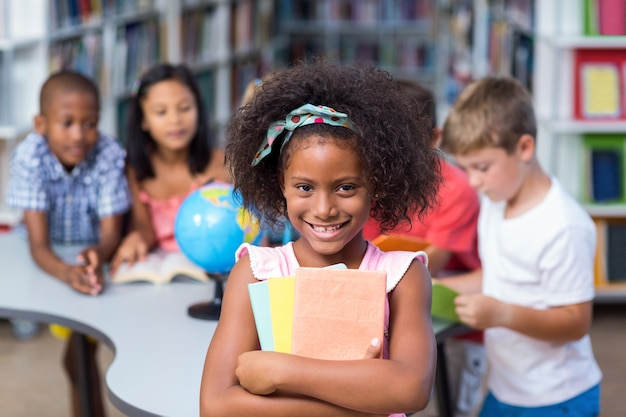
[{"x": 64, "y": 81}]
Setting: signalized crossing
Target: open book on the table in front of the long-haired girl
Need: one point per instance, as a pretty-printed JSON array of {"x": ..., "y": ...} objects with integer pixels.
[{"x": 160, "y": 267}]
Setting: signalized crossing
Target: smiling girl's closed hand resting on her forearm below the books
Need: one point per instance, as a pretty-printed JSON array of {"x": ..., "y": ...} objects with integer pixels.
[{"x": 256, "y": 370}]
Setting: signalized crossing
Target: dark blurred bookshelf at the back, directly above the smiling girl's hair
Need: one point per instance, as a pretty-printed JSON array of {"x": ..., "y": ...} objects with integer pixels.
[{"x": 400, "y": 37}]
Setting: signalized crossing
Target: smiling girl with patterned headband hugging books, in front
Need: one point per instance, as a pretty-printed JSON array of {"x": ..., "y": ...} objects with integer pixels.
[{"x": 327, "y": 147}]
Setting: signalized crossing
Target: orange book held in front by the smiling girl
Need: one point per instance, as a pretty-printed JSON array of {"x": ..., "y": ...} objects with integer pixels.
[{"x": 337, "y": 312}]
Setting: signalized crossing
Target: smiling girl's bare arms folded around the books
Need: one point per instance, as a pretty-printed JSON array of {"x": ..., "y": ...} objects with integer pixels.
[{"x": 400, "y": 384}]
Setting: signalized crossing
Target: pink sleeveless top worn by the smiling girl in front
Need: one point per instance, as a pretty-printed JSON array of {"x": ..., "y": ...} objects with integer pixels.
[{"x": 267, "y": 262}]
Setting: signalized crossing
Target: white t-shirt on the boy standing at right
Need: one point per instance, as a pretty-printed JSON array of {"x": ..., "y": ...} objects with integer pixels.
[{"x": 541, "y": 259}]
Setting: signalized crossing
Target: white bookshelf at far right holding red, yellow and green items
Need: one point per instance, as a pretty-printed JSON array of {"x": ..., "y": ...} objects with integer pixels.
[{"x": 582, "y": 137}]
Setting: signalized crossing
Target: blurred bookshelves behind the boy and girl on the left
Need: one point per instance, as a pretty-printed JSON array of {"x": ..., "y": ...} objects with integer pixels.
[{"x": 226, "y": 43}]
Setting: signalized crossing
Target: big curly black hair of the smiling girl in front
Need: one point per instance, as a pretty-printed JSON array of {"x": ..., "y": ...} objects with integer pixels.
[{"x": 400, "y": 166}]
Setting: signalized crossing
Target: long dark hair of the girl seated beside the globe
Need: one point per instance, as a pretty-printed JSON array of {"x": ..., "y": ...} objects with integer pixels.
[{"x": 139, "y": 143}]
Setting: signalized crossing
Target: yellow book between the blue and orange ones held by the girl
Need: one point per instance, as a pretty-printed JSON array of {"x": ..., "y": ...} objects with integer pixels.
[{"x": 282, "y": 292}]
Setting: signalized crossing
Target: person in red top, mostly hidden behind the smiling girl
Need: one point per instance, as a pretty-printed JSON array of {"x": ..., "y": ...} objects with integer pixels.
[{"x": 451, "y": 232}]
